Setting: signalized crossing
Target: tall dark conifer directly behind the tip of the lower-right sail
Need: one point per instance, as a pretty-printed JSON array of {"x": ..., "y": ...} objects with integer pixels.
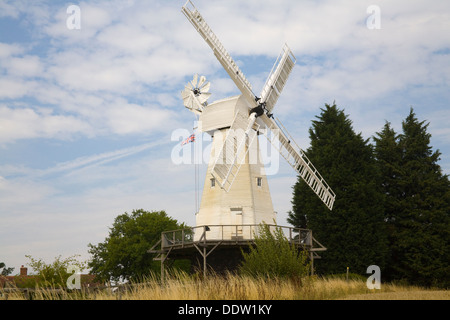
[{"x": 353, "y": 232}]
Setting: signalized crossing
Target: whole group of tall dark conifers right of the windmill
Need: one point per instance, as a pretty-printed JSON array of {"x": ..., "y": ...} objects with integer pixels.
[{"x": 392, "y": 204}]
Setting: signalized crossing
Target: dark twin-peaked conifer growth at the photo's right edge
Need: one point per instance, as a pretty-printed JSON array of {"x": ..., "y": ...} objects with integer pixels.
[{"x": 417, "y": 204}]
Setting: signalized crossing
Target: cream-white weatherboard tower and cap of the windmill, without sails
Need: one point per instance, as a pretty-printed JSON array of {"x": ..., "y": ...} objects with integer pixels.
[{"x": 248, "y": 201}]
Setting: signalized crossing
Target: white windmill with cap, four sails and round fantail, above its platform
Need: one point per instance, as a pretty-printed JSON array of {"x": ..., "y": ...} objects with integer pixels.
[{"x": 236, "y": 190}]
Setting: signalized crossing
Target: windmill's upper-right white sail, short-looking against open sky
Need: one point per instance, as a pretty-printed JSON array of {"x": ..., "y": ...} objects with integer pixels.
[{"x": 277, "y": 78}]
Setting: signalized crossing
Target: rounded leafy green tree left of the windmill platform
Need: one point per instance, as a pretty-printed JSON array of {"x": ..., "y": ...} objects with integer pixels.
[{"x": 123, "y": 255}]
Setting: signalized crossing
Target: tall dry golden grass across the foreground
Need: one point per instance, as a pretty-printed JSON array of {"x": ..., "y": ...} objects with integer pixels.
[{"x": 232, "y": 287}]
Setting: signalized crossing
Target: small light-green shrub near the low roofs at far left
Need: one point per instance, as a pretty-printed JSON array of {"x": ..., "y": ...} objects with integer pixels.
[{"x": 54, "y": 274}]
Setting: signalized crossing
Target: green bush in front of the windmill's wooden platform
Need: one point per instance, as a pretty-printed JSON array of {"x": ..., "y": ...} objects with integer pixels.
[{"x": 274, "y": 256}]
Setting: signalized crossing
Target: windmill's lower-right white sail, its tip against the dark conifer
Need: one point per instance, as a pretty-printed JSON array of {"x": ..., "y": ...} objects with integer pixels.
[{"x": 298, "y": 160}]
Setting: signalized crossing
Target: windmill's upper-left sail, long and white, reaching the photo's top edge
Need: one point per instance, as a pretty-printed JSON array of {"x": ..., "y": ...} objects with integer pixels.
[{"x": 219, "y": 50}]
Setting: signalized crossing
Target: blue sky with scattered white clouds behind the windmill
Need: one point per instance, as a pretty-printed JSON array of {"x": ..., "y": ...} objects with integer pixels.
[{"x": 86, "y": 115}]
